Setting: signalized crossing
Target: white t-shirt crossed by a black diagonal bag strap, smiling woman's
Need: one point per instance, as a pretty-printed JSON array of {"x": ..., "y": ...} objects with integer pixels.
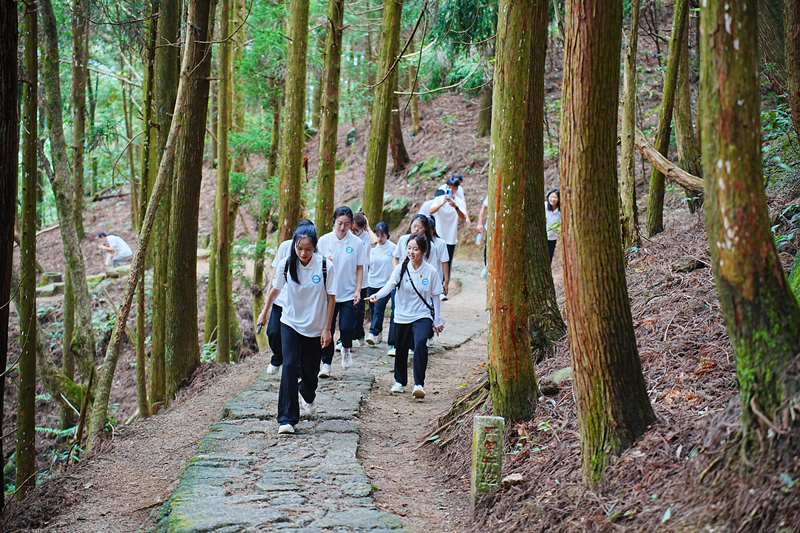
[{"x": 408, "y": 305}]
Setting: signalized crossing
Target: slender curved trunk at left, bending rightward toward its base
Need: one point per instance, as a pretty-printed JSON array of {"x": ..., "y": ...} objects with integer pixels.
[{"x": 83, "y": 342}]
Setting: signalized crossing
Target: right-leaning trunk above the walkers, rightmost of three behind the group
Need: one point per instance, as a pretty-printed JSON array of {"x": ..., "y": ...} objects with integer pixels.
[{"x": 378, "y": 144}]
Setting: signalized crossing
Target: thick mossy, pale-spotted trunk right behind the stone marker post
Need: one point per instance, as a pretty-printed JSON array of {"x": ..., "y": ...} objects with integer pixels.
[{"x": 516, "y": 160}]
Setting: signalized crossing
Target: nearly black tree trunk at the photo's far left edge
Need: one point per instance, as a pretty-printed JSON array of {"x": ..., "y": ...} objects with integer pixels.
[{"x": 9, "y": 159}]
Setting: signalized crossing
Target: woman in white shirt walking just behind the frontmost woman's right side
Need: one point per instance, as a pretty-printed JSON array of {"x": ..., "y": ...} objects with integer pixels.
[{"x": 345, "y": 250}]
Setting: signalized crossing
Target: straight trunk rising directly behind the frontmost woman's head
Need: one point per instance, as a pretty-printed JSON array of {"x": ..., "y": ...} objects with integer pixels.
[{"x": 293, "y": 123}]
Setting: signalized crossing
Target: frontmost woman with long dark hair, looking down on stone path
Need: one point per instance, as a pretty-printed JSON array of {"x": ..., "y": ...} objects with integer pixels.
[{"x": 309, "y": 281}]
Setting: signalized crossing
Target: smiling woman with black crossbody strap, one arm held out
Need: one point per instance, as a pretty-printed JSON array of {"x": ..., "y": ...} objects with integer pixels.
[{"x": 417, "y": 312}]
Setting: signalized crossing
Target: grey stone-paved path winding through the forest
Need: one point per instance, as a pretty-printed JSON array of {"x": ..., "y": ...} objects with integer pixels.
[{"x": 246, "y": 478}]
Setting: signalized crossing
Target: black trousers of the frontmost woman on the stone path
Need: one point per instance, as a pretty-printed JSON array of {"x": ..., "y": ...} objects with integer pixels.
[{"x": 301, "y": 356}]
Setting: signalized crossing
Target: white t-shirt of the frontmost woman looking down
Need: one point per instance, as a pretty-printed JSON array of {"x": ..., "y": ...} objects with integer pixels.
[{"x": 306, "y": 307}]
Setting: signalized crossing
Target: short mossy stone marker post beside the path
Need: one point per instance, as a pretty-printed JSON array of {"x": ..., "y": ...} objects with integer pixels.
[{"x": 487, "y": 457}]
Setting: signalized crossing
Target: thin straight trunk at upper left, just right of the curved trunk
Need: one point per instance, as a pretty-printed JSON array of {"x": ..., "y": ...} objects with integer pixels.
[{"x": 78, "y": 101}]
